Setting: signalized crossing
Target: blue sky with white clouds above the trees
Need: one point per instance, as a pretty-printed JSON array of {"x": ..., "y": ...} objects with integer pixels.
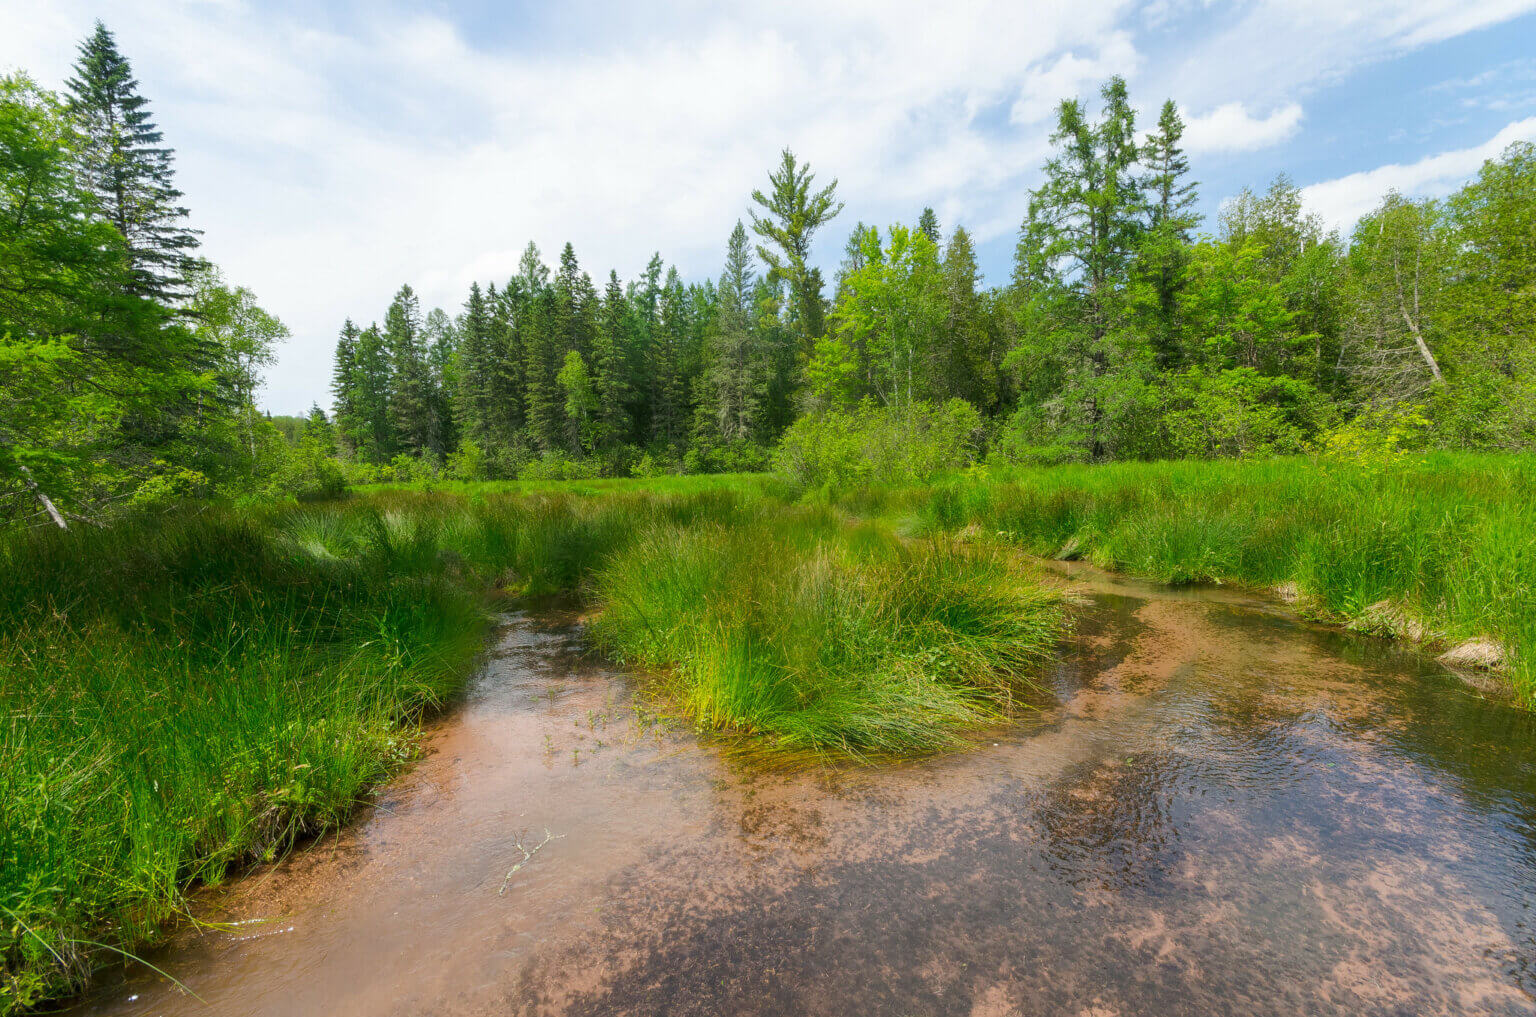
[{"x": 334, "y": 151}]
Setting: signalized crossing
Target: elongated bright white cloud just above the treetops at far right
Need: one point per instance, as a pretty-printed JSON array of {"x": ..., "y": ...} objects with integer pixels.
[{"x": 1345, "y": 200}]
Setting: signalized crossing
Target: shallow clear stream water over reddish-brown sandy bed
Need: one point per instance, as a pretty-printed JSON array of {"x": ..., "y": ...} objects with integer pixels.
[{"x": 1217, "y": 810}]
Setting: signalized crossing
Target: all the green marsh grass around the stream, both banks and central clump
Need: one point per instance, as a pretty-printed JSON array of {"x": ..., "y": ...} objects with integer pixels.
[{"x": 185, "y": 697}]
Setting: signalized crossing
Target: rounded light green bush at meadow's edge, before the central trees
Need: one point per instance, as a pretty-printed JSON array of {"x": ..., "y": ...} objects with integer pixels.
[{"x": 873, "y": 445}]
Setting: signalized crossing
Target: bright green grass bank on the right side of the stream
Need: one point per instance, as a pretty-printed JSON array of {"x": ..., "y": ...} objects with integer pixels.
[{"x": 1440, "y": 549}]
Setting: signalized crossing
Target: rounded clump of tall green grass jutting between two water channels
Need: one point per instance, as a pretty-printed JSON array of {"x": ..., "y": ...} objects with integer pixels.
[{"x": 819, "y": 637}]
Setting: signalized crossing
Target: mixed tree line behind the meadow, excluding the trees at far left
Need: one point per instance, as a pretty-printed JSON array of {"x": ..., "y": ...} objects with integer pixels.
[{"x": 1125, "y": 331}]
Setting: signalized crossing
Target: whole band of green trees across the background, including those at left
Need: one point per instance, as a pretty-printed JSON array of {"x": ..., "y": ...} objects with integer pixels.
[{"x": 1130, "y": 331}]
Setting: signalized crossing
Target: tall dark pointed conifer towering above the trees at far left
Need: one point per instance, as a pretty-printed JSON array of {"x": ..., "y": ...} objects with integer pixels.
[{"x": 130, "y": 170}]
